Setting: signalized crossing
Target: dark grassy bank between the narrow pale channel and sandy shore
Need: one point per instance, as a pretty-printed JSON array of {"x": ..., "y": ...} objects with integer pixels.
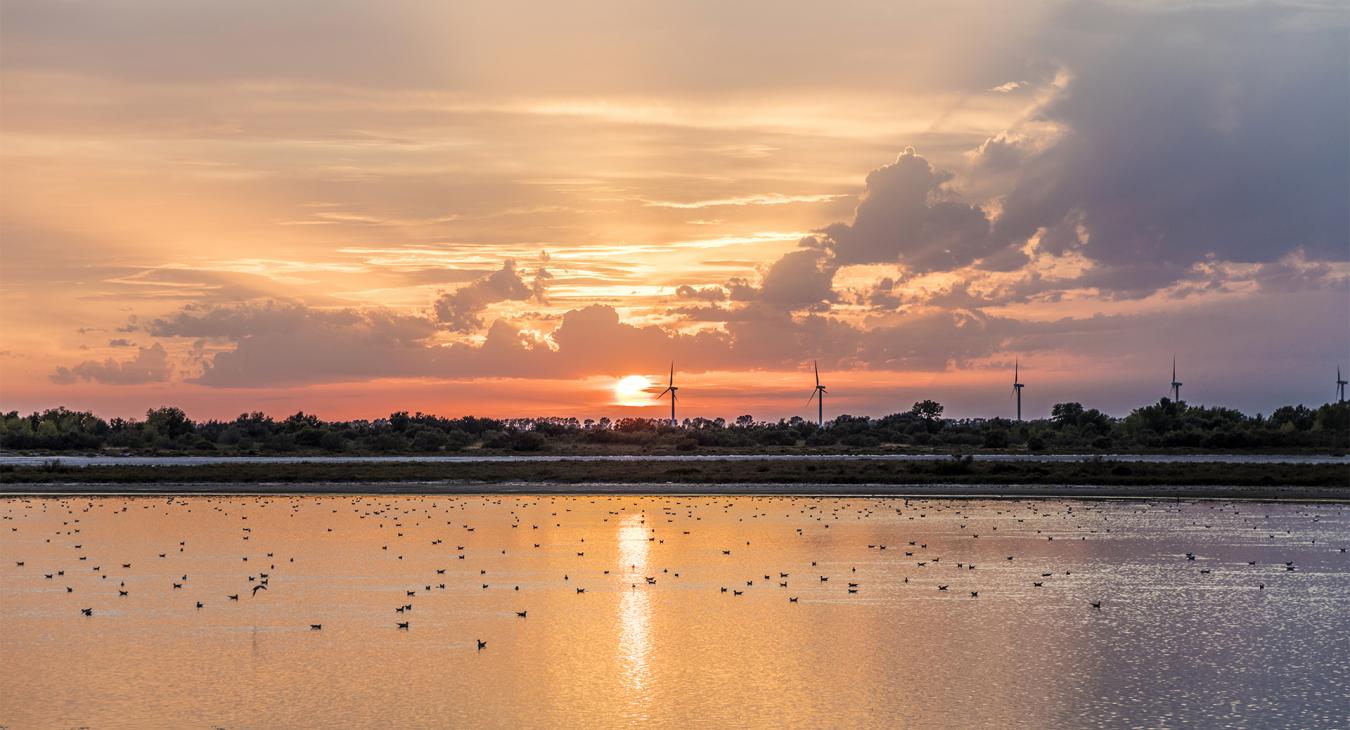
[{"x": 843, "y": 472}]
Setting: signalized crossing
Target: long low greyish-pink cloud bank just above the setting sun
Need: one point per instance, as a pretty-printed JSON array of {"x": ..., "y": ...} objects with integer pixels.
[{"x": 295, "y": 345}]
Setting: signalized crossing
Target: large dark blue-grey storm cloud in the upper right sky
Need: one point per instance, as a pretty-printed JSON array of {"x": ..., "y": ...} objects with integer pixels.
[{"x": 1193, "y": 134}]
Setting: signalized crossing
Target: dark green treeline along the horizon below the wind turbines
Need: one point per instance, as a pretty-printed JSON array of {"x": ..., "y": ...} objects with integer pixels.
[{"x": 1162, "y": 426}]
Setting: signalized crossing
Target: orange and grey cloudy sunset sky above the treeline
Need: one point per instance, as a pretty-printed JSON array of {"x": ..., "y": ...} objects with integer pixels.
[{"x": 504, "y": 208}]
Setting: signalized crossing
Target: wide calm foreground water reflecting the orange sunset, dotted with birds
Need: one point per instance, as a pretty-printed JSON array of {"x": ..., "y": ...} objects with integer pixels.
[{"x": 1171, "y": 646}]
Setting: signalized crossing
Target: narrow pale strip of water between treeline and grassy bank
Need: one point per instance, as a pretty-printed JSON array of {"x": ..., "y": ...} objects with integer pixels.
[{"x": 24, "y": 461}]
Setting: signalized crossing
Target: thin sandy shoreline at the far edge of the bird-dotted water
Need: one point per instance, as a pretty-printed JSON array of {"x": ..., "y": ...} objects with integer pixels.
[{"x": 990, "y": 492}]
